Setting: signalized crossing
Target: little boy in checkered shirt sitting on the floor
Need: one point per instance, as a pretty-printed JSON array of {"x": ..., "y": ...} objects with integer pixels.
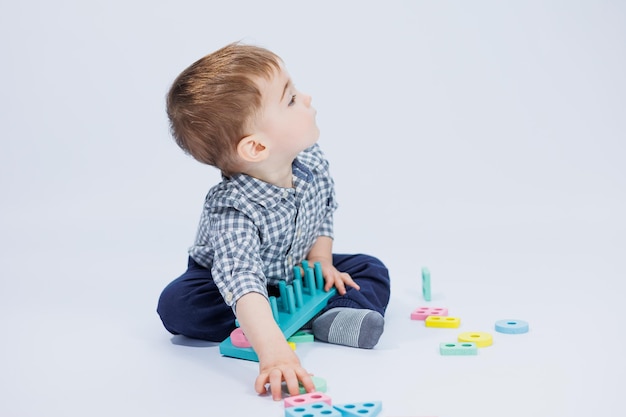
[{"x": 238, "y": 110}]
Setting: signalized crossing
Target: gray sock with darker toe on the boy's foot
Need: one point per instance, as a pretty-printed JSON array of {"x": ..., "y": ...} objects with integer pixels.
[{"x": 350, "y": 327}]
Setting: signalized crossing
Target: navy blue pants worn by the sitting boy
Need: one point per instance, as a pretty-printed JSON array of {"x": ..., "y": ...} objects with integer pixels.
[{"x": 192, "y": 306}]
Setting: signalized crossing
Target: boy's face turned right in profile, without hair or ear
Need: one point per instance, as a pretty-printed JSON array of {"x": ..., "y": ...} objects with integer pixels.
[{"x": 286, "y": 119}]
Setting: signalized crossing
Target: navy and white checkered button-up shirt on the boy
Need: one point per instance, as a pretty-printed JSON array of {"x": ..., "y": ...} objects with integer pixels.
[{"x": 252, "y": 233}]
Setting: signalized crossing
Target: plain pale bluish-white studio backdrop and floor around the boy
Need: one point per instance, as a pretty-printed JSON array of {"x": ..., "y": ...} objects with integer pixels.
[{"x": 482, "y": 139}]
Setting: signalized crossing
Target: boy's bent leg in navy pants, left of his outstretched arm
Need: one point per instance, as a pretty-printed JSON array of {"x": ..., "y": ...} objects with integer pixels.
[{"x": 192, "y": 306}]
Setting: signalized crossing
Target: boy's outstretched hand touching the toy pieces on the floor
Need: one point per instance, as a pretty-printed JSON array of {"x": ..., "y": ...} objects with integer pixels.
[{"x": 282, "y": 365}]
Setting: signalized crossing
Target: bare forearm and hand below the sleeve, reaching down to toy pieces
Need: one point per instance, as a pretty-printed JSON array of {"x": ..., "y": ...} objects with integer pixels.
[{"x": 277, "y": 361}]
